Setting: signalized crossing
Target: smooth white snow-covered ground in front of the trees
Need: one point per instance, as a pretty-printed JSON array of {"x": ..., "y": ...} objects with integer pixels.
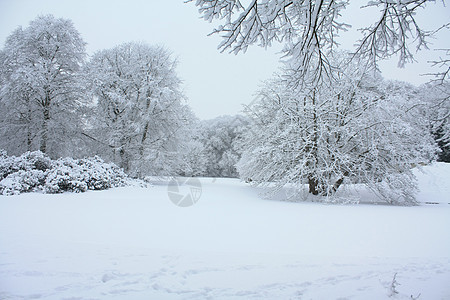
[{"x": 134, "y": 243}]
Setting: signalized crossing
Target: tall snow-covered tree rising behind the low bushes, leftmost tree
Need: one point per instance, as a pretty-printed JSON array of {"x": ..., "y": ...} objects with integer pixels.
[{"x": 41, "y": 88}]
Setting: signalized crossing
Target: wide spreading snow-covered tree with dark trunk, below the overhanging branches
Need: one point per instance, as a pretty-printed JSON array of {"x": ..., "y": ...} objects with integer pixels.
[{"x": 358, "y": 129}]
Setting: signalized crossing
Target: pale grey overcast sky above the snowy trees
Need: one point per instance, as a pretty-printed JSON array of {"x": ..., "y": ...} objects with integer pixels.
[{"x": 215, "y": 83}]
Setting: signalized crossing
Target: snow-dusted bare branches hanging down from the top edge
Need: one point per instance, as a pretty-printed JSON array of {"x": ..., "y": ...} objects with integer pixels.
[{"x": 309, "y": 29}]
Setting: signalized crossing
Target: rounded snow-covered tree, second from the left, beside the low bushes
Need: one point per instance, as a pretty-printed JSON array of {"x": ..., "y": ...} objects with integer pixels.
[{"x": 140, "y": 116}]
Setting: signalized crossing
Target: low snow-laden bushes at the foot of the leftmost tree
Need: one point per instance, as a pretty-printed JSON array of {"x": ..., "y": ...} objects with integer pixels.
[{"x": 34, "y": 171}]
